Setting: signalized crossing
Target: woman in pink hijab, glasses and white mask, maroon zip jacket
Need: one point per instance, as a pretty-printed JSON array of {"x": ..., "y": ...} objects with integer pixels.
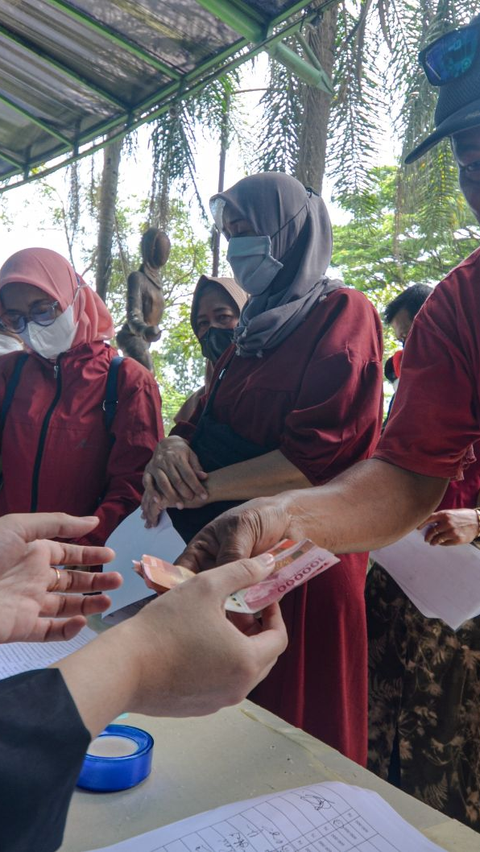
[{"x": 58, "y": 452}]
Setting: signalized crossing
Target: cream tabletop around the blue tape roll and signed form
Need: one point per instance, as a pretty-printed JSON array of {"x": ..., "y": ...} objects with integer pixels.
[{"x": 240, "y": 752}]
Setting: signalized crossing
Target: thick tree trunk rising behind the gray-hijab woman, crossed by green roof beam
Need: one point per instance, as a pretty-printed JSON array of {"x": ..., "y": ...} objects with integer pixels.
[{"x": 316, "y": 105}]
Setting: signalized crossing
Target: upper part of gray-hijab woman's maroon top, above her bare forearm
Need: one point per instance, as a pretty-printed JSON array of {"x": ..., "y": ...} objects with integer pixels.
[{"x": 317, "y": 397}]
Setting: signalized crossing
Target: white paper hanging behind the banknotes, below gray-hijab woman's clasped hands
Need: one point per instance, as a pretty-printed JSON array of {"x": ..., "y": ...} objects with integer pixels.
[{"x": 130, "y": 541}]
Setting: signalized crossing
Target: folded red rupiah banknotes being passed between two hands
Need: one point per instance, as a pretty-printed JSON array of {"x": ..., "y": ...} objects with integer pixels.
[{"x": 295, "y": 563}]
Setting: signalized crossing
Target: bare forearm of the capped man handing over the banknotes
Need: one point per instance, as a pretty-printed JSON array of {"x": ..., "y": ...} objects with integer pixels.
[{"x": 369, "y": 506}]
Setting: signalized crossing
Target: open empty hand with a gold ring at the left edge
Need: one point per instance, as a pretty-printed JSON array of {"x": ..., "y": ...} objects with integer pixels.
[{"x": 39, "y": 602}]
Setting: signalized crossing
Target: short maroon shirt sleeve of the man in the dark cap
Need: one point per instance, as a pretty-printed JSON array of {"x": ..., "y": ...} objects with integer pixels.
[{"x": 435, "y": 415}]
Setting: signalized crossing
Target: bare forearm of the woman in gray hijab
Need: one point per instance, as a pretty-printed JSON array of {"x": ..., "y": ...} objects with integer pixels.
[{"x": 263, "y": 476}]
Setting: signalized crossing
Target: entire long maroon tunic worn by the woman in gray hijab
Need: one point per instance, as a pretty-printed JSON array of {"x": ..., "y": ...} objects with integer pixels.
[{"x": 318, "y": 398}]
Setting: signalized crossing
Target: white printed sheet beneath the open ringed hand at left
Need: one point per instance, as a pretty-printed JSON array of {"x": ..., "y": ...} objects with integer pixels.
[{"x": 19, "y": 657}]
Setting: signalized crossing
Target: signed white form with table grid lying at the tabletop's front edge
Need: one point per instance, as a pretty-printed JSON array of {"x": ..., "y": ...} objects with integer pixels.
[{"x": 330, "y": 817}]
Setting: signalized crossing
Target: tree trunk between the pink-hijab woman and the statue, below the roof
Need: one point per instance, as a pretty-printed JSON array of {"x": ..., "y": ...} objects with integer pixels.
[{"x": 106, "y": 215}]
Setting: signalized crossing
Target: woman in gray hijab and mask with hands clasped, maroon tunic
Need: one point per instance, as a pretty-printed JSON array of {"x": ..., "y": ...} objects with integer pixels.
[{"x": 293, "y": 402}]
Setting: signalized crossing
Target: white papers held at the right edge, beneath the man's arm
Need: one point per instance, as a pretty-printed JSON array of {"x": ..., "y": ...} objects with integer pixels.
[{"x": 442, "y": 582}]
